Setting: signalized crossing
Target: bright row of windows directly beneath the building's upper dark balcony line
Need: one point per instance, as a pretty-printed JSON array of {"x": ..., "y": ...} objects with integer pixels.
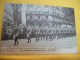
[{"x": 48, "y": 18}]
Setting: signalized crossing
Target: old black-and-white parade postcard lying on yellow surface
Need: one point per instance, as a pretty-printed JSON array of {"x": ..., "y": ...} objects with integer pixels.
[{"x": 38, "y": 29}]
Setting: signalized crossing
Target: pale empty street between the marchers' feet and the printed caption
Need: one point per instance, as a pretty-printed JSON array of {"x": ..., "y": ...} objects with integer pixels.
[{"x": 71, "y": 41}]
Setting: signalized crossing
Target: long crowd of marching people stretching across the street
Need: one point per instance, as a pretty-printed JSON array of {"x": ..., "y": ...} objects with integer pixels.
[{"x": 40, "y": 33}]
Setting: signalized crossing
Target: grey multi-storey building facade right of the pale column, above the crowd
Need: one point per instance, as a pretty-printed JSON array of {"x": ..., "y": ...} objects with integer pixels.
[{"x": 52, "y": 16}]
